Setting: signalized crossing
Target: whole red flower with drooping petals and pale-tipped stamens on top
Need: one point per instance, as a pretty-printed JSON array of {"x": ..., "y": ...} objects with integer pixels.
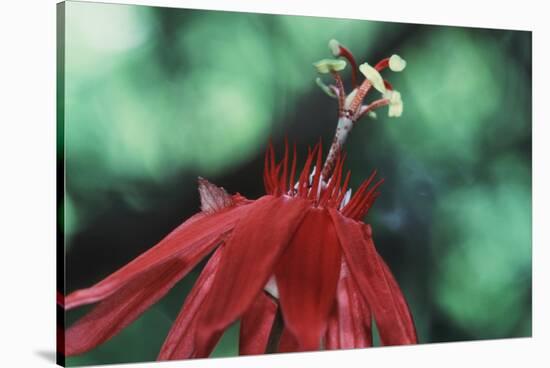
[{"x": 299, "y": 254}]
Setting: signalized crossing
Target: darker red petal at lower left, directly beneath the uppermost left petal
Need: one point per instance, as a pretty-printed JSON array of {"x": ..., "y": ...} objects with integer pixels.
[{"x": 119, "y": 310}]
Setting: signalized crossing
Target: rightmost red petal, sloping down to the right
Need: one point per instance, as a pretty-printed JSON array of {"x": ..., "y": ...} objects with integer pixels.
[{"x": 381, "y": 292}]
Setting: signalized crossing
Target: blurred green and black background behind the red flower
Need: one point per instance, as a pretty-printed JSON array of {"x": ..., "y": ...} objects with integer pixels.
[{"x": 154, "y": 97}]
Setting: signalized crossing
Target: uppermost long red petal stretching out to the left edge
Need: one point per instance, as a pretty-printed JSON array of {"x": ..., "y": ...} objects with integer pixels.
[{"x": 190, "y": 242}]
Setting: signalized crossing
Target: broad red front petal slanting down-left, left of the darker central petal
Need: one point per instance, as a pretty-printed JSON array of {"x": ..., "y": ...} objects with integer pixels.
[{"x": 250, "y": 253}]
